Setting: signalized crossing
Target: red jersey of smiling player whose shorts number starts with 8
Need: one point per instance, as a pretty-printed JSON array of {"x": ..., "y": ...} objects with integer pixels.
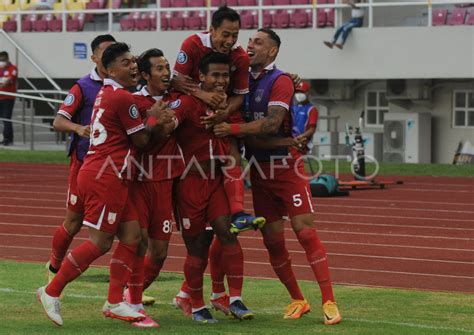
[{"x": 165, "y": 162}]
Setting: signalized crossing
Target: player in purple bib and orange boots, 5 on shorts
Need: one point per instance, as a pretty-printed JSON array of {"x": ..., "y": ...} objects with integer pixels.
[{"x": 282, "y": 190}]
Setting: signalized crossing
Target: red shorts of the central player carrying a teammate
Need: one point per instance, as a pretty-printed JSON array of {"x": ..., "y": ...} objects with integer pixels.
[{"x": 199, "y": 201}]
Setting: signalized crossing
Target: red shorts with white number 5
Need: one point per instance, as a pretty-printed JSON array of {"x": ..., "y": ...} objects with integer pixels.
[{"x": 286, "y": 194}]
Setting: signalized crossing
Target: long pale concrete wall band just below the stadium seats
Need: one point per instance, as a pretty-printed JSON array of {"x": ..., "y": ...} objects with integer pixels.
[{"x": 401, "y": 52}]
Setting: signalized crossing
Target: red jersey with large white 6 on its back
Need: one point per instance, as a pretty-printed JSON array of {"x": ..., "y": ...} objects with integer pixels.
[{"x": 114, "y": 118}]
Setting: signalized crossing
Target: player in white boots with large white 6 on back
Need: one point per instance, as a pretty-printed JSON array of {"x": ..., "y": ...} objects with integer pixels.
[{"x": 116, "y": 130}]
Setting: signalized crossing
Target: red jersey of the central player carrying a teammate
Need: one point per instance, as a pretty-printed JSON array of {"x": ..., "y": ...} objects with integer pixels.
[{"x": 193, "y": 137}]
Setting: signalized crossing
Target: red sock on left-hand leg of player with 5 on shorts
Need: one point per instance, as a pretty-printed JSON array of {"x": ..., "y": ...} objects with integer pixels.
[{"x": 281, "y": 263}]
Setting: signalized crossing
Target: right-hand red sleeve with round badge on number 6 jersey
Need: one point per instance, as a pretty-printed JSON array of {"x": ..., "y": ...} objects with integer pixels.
[{"x": 128, "y": 113}]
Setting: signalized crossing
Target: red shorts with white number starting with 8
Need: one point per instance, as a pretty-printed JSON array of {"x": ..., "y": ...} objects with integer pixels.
[{"x": 154, "y": 204}]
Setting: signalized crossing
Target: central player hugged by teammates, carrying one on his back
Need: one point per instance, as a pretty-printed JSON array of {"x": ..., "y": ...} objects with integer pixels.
[{"x": 200, "y": 194}]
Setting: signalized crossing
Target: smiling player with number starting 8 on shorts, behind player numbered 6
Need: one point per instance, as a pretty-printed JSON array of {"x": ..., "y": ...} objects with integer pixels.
[{"x": 161, "y": 162}]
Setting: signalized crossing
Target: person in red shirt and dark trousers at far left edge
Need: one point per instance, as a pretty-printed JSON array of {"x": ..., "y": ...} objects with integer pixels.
[{"x": 8, "y": 75}]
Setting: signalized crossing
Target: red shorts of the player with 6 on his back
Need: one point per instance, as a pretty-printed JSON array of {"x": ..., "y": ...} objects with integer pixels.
[{"x": 105, "y": 201}]
